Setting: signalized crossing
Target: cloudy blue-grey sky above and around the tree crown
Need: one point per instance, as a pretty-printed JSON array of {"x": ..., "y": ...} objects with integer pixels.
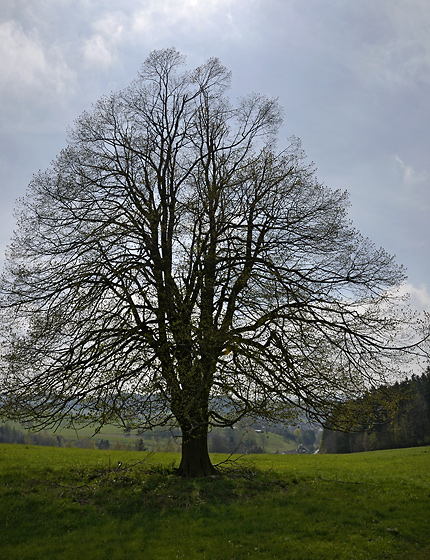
[{"x": 353, "y": 77}]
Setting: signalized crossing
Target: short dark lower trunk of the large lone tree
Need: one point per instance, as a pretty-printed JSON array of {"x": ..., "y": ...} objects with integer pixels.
[{"x": 195, "y": 461}]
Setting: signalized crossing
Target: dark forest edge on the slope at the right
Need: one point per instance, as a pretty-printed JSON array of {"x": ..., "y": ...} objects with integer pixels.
[{"x": 378, "y": 427}]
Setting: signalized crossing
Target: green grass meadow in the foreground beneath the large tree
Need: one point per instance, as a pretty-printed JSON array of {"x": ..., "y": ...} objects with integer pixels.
[{"x": 76, "y": 503}]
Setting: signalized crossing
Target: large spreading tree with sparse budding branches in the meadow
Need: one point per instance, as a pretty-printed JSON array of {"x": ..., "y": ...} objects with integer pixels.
[{"x": 173, "y": 267}]
